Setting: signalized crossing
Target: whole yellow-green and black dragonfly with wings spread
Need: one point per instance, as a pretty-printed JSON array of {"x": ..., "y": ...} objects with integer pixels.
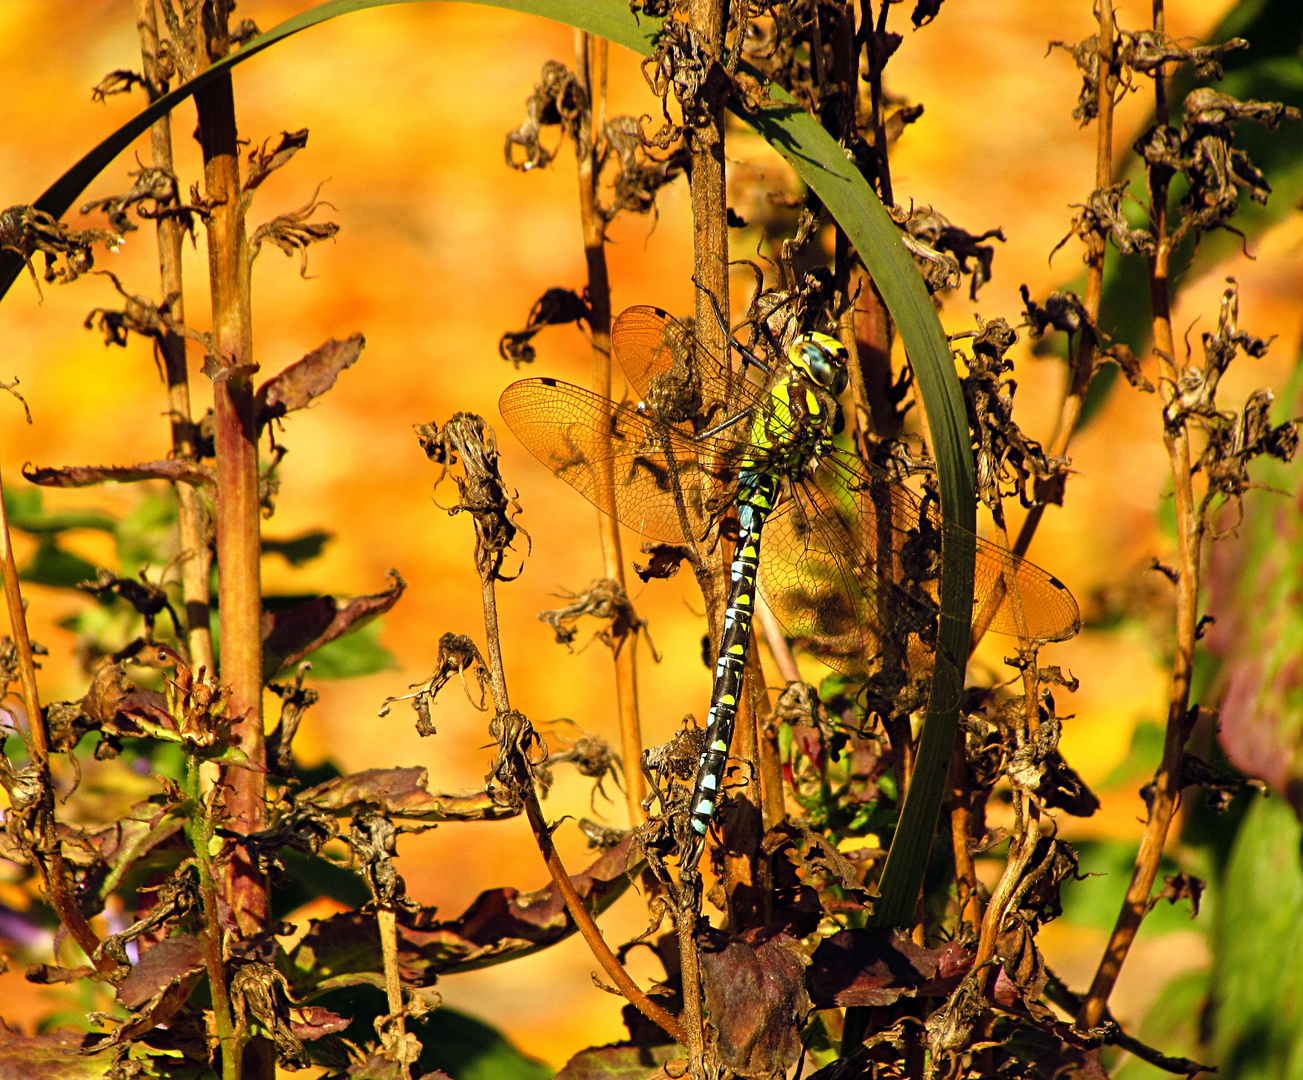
[{"x": 852, "y": 558}]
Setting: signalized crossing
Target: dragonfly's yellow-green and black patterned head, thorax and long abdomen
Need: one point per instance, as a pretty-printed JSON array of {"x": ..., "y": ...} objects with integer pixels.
[{"x": 794, "y": 431}]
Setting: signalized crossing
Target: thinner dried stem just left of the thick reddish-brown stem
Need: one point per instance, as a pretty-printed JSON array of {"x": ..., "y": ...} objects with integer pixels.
[{"x": 196, "y": 557}]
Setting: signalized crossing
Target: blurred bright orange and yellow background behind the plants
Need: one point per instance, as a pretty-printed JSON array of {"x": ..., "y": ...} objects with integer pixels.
[{"x": 441, "y": 251}]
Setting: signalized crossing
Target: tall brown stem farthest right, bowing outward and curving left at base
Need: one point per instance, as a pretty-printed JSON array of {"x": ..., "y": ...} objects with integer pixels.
[{"x": 1167, "y": 782}]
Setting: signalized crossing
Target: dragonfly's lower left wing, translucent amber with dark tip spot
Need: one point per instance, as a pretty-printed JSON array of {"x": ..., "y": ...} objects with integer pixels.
[{"x": 644, "y": 474}]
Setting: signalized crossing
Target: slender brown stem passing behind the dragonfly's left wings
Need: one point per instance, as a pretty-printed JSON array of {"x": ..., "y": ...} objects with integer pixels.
[{"x": 591, "y": 57}]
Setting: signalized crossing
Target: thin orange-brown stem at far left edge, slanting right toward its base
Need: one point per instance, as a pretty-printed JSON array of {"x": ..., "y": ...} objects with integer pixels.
[{"x": 48, "y": 851}]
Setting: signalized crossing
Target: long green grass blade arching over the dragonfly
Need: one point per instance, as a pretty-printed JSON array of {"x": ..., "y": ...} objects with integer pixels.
[{"x": 824, "y": 166}]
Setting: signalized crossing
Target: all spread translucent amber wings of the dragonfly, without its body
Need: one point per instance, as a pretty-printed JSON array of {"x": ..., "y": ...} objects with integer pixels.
[{"x": 848, "y": 554}]
